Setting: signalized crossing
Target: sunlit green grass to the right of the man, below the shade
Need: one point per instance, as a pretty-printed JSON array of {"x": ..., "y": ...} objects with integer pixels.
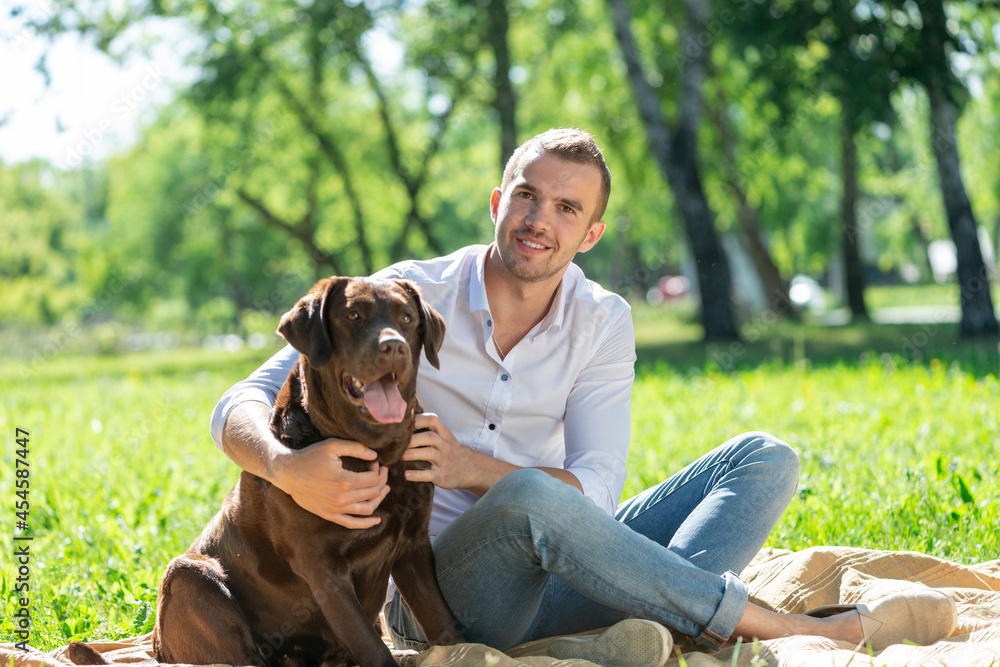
[{"x": 893, "y": 457}]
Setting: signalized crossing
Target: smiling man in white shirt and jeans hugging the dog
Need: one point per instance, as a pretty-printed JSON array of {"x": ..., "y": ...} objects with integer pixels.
[{"x": 528, "y": 427}]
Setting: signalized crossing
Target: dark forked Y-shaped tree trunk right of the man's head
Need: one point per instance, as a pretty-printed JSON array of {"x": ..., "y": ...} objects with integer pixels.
[{"x": 676, "y": 154}]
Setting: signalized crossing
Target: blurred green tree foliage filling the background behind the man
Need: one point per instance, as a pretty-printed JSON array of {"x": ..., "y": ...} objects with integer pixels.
[{"x": 232, "y": 202}]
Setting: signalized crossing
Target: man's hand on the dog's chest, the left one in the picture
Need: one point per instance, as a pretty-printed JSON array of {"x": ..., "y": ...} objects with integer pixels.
[{"x": 316, "y": 479}]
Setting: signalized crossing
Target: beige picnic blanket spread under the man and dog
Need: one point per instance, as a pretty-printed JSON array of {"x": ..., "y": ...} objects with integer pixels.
[{"x": 780, "y": 580}]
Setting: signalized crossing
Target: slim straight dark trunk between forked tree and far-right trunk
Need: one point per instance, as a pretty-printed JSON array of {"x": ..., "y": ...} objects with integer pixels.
[{"x": 854, "y": 270}]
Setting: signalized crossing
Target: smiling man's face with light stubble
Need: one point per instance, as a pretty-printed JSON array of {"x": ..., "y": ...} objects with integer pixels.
[{"x": 544, "y": 217}]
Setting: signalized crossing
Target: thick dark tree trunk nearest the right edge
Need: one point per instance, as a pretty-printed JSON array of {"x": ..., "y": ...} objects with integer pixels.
[{"x": 978, "y": 316}]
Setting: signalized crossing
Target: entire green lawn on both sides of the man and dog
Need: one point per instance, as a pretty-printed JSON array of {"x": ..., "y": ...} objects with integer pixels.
[{"x": 898, "y": 451}]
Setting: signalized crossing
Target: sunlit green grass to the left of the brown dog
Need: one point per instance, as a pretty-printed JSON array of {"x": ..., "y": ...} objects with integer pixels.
[{"x": 123, "y": 476}]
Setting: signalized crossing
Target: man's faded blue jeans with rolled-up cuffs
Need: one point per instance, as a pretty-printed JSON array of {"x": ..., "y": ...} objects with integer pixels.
[{"x": 535, "y": 558}]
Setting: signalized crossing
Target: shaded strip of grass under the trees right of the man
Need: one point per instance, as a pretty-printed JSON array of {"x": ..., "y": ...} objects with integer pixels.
[{"x": 678, "y": 344}]
